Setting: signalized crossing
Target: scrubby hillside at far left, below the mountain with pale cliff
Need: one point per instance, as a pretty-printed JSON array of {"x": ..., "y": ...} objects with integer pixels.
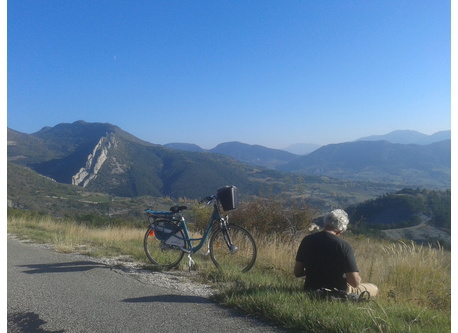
[{"x": 29, "y": 191}]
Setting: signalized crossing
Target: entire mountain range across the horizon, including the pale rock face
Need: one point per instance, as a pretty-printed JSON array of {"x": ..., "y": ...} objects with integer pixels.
[{"x": 104, "y": 157}]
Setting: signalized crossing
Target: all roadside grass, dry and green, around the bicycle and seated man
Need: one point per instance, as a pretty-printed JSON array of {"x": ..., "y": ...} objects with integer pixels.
[{"x": 414, "y": 281}]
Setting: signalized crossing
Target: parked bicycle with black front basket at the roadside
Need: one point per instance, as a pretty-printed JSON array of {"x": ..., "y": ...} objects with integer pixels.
[{"x": 167, "y": 239}]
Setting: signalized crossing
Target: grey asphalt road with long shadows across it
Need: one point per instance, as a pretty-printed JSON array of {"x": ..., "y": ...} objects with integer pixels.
[{"x": 54, "y": 292}]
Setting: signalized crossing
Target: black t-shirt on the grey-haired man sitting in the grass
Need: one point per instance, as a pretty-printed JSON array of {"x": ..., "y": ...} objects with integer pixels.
[{"x": 326, "y": 259}]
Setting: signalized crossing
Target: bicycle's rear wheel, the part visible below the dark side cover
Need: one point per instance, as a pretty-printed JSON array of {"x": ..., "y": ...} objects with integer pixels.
[{"x": 159, "y": 253}]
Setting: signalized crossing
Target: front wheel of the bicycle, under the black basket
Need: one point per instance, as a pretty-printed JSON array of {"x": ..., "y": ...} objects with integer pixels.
[{"x": 233, "y": 248}]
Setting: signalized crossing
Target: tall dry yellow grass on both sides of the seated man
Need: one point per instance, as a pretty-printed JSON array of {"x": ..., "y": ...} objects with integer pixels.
[{"x": 403, "y": 271}]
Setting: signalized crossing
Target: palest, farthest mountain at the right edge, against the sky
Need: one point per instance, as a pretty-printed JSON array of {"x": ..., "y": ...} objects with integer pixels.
[{"x": 407, "y": 137}]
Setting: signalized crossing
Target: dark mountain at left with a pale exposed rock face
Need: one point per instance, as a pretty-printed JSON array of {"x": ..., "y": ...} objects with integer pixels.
[{"x": 104, "y": 158}]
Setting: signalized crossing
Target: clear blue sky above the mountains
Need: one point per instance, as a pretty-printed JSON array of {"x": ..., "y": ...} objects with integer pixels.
[{"x": 265, "y": 72}]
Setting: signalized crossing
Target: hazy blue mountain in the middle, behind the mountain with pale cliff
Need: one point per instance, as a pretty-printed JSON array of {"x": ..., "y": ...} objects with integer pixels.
[{"x": 254, "y": 154}]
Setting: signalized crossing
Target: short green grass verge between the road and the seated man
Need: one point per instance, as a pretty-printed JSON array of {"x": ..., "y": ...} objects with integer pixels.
[{"x": 287, "y": 305}]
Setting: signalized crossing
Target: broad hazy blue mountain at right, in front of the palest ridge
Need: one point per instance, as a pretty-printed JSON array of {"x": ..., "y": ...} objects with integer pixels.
[{"x": 409, "y": 165}]
